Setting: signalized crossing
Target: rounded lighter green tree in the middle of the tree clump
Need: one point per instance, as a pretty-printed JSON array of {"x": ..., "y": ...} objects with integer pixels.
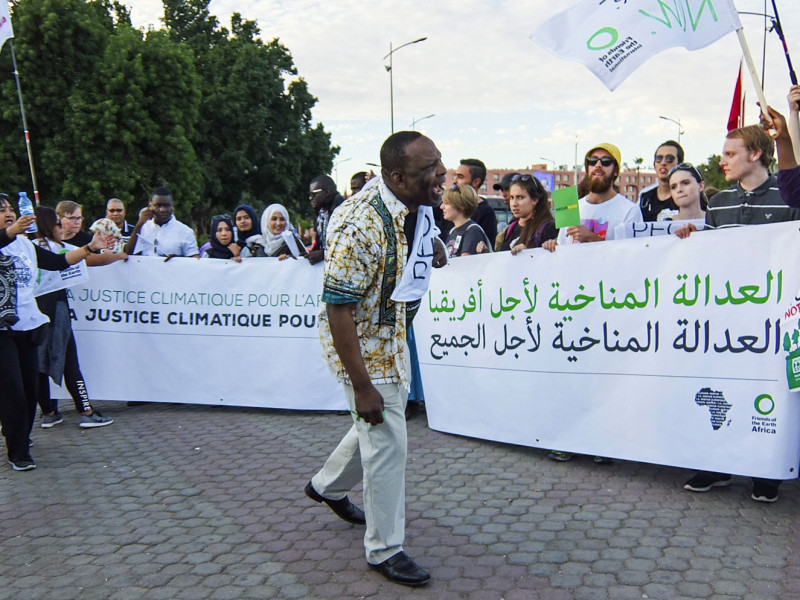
[{"x": 132, "y": 129}]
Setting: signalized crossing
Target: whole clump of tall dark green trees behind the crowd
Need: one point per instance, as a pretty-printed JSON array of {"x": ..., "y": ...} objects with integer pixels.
[{"x": 216, "y": 115}]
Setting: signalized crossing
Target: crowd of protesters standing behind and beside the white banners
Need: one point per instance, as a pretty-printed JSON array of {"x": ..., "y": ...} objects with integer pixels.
[{"x": 40, "y": 345}]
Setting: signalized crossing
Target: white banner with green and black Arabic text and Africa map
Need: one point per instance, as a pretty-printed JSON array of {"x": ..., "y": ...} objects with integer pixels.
[{"x": 660, "y": 350}]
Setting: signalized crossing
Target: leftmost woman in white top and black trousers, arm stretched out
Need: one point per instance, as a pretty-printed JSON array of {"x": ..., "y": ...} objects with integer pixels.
[{"x": 19, "y": 339}]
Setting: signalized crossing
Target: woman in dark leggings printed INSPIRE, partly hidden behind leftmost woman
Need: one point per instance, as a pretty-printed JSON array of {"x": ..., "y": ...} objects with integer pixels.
[{"x": 58, "y": 354}]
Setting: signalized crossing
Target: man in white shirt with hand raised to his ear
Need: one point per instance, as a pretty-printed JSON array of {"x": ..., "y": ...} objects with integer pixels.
[{"x": 159, "y": 233}]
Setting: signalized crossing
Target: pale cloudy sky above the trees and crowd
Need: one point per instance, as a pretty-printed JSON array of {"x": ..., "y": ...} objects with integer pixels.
[{"x": 494, "y": 94}]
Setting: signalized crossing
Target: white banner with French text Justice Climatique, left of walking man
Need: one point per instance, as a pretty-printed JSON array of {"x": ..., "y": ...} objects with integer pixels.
[{"x": 204, "y": 332}]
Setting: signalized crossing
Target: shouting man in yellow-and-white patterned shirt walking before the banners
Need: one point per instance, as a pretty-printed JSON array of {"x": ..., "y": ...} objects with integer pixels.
[{"x": 363, "y": 334}]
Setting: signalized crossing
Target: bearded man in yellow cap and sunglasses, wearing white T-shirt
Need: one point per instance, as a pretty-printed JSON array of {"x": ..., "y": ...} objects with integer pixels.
[{"x": 603, "y": 209}]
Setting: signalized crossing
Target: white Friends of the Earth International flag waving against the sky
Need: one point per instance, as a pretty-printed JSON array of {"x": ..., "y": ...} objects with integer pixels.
[{"x": 614, "y": 37}]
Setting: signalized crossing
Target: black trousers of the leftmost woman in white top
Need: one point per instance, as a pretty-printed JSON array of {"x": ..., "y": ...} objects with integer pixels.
[{"x": 19, "y": 359}]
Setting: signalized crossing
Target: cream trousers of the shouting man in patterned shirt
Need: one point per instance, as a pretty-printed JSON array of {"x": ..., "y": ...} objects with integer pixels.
[{"x": 376, "y": 454}]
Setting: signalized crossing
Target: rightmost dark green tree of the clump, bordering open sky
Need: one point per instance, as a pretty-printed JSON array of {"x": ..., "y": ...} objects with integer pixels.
[{"x": 254, "y": 137}]
